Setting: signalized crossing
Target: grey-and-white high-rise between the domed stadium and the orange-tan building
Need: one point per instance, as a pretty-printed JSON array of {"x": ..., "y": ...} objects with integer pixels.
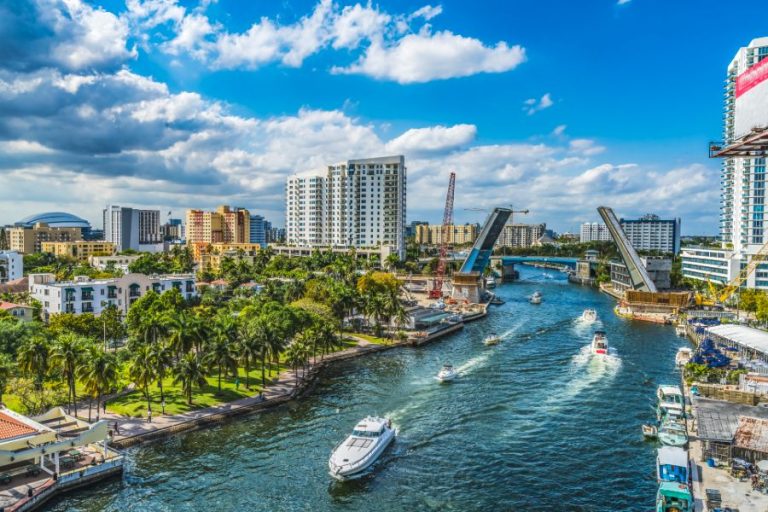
[{"x": 131, "y": 228}]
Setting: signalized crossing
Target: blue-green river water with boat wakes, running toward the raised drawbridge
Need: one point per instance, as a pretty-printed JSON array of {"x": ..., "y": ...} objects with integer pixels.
[{"x": 533, "y": 423}]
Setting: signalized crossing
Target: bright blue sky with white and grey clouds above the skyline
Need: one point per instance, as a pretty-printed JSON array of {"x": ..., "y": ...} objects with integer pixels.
[{"x": 556, "y": 106}]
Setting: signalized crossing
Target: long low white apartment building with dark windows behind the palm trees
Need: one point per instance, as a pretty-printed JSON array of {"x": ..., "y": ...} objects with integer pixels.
[{"x": 84, "y": 295}]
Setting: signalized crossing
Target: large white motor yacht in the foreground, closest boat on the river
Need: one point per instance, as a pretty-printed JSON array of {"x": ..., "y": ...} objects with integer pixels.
[{"x": 361, "y": 449}]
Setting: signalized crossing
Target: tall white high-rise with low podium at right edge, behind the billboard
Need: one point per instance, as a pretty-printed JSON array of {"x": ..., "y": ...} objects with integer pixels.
[{"x": 742, "y": 191}]
